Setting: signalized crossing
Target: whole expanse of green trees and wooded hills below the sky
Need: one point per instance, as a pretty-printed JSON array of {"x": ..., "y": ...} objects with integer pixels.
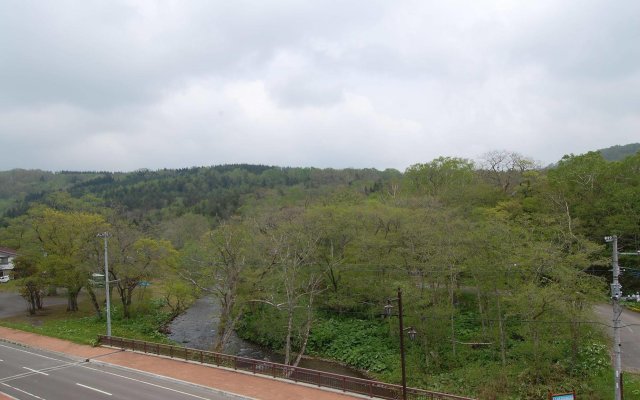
[{"x": 500, "y": 261}]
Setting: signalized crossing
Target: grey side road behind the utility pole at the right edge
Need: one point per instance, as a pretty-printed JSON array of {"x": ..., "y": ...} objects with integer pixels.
[{"x": 629, "y": 335}]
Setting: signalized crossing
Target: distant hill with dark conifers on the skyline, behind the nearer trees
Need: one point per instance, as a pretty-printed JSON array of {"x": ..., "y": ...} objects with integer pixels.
[{"x": 215, "y": 191}]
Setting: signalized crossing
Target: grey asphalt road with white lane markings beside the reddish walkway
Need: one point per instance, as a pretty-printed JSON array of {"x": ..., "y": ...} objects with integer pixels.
[{"x": 27, "y": 373}]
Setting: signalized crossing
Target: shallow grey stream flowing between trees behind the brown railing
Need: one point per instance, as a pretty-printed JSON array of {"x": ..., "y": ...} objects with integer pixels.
[{"x": 196, "y": 328}]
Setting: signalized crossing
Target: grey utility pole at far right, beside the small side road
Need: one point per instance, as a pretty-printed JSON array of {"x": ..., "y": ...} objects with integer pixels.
[{"x": 616, "y": 294}]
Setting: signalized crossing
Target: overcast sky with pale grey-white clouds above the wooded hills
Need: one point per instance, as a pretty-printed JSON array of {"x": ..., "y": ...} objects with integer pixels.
[{"x": 128, "y": 84}]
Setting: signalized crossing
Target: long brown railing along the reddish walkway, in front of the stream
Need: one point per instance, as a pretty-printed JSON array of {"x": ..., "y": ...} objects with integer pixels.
[{"x": 319, "y": 378}]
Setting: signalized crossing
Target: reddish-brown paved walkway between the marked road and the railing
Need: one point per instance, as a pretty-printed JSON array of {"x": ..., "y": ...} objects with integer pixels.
[{"x": 249, "y": 386}]
